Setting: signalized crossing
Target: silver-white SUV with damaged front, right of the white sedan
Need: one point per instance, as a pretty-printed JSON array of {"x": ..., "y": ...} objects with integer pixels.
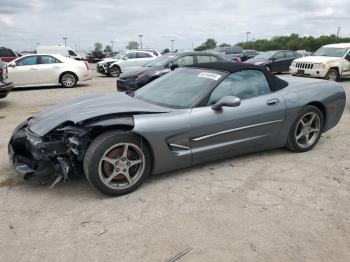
[{"x": 125, "y": 59}]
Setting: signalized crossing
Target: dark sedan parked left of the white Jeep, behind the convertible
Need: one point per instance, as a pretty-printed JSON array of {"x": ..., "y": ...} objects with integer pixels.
[{"x": 276, "y": 61}]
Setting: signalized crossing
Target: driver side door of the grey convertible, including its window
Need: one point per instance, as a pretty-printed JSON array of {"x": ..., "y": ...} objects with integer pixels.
[{"x": 254, "y": 124}]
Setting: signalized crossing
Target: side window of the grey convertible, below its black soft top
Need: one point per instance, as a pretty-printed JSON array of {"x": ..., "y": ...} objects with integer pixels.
[{"x": 243, "y": 84}]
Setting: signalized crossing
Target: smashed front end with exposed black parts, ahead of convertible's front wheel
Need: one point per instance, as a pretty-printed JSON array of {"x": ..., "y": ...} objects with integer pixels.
[{"x": 58, "y": 152}]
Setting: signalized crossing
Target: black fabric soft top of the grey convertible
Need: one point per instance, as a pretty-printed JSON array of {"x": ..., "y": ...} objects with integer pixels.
[{"x": 231, "y": 67}]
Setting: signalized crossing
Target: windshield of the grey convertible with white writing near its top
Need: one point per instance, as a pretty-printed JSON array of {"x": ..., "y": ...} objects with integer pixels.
[{"x": 180, "y": 88}]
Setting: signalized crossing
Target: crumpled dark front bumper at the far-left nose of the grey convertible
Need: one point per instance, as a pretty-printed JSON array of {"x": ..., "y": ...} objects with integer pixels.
[{"x": 27, "y": 157}]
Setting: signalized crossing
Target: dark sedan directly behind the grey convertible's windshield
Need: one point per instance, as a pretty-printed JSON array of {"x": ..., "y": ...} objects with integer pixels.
[{"x": 138, "y": 77}]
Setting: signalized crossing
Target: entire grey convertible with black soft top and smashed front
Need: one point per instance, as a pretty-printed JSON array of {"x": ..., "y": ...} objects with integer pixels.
[{"x": 189, "y": 116}]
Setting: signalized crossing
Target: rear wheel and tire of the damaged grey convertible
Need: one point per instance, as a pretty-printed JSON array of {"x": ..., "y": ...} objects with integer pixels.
[{"x": 305, "y": 132}]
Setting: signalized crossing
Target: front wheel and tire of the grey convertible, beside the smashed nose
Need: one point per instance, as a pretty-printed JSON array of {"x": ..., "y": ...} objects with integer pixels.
[{"x": 112, "y": 171}]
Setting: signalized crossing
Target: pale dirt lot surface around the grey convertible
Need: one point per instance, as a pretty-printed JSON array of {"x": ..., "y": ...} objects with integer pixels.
[{"x": 269, "y": 206}]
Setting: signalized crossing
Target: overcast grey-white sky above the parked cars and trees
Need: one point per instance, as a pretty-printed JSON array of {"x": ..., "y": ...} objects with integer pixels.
[{"x": 23, "y": 23}]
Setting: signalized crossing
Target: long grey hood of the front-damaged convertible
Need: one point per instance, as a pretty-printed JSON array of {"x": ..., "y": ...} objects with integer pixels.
[{"x": 88, "y": 107}]
